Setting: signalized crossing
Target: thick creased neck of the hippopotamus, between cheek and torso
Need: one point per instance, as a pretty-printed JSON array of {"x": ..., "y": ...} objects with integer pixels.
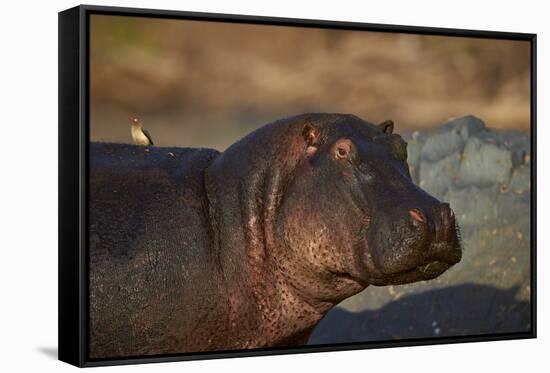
[{"x": 244, "y": 190}]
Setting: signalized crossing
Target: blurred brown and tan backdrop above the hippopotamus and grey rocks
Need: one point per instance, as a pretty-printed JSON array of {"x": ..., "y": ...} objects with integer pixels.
[{"x": 206, "y": 84}]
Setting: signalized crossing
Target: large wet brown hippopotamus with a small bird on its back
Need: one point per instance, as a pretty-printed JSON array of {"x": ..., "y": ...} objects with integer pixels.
[{"x": 194, "y": 250}]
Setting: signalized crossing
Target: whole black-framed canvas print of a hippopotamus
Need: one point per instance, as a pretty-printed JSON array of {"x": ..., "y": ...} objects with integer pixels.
[{"x": 237, "y": 186}]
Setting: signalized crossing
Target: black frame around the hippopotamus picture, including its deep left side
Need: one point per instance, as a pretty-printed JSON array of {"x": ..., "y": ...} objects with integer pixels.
[{"x": 73, "y": 178}]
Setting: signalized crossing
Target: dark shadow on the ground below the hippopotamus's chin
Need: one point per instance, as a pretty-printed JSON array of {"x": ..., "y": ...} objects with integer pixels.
[{"x": 460, "y": 310}]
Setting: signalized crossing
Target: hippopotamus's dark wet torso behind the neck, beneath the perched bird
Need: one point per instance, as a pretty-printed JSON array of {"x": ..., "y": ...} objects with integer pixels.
[{"x": 149, "y": 234}]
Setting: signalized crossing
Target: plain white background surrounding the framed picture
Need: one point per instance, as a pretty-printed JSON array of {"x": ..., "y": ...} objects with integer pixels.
[{"x": 28, "y": 184}]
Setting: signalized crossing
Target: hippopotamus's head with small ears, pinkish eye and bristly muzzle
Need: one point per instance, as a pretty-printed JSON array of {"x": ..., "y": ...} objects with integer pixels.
[{"x": 328, "y": 200}]
